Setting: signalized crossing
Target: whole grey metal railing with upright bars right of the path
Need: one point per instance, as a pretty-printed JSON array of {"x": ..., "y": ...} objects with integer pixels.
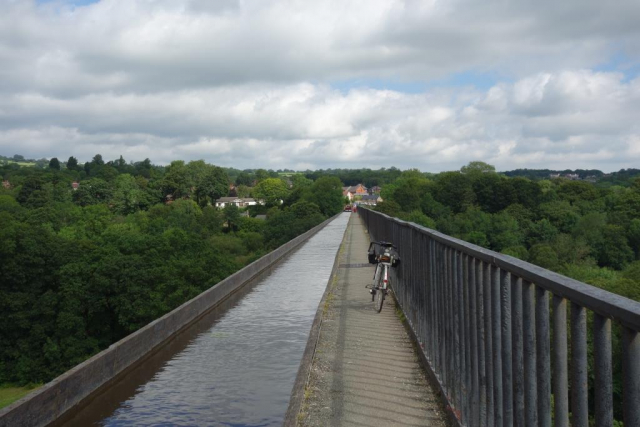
[{"x": 493, "y": 329}]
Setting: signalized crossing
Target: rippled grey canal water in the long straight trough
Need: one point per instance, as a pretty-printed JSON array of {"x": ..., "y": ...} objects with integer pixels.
[{"x": 237, "y": 365}]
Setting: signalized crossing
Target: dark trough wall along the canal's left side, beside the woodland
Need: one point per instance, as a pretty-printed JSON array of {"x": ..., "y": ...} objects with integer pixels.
[{"x": 48, "y": 403}]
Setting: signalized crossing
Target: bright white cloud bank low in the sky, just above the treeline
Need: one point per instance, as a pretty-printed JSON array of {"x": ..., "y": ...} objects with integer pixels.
[{"x": 313, "y": 125}]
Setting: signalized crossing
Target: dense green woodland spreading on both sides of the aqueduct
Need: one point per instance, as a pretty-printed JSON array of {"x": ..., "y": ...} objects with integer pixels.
[{"x": 83, "y": 268}]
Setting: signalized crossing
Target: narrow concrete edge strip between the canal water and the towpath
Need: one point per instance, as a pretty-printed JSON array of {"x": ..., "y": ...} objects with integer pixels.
[{"x": 304, "y": 370}]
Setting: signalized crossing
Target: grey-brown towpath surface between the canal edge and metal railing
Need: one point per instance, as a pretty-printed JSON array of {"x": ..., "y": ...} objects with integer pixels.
[{"x": 365, "y": 370}]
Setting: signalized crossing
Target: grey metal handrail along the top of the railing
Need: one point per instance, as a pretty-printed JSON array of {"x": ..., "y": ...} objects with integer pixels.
[{"x": 607, "y": 304}]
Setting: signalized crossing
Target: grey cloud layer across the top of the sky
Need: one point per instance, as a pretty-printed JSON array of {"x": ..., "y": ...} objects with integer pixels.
[{"x": 125, "y": 45}]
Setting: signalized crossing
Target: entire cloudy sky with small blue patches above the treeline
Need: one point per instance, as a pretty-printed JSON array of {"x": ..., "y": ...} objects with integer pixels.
[{"x": 430, "y": 84}]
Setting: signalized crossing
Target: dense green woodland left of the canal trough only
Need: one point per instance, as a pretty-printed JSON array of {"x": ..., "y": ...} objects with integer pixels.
[{"x": 83, "y": 268}]
